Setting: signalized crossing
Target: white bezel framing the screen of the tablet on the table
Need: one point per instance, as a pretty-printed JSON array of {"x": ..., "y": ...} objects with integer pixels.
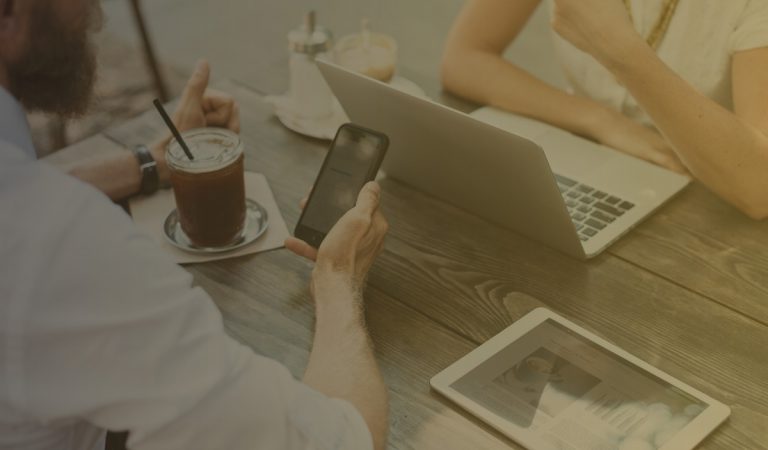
[{"x": 686, "y": 439}]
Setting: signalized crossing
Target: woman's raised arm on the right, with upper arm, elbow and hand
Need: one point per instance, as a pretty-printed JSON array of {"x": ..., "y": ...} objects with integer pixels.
[{"x": 727, "y": 151}]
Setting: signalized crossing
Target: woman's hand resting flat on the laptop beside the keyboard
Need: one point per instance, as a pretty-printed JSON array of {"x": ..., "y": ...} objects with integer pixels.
[{"x": 621, "y": 133}]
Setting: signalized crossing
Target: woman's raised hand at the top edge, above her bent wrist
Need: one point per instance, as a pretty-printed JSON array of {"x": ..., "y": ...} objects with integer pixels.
[{"x": 599, "y": 27}]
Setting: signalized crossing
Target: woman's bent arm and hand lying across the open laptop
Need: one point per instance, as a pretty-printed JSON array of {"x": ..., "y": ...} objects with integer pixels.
[{"x": 474, "y": 68}]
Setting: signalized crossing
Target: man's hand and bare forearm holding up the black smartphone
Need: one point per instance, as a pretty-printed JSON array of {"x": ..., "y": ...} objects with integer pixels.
[{"x": 342, "y": 364}]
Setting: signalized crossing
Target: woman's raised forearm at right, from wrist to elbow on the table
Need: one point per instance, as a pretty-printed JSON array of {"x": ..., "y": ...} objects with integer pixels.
[{"x": 724, "y": 151}]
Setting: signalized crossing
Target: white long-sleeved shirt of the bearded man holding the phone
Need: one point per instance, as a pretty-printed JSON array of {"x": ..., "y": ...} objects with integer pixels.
[{"x": 100, "y": 330}]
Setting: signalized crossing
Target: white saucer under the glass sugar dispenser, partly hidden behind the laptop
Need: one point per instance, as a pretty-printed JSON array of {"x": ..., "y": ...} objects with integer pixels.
[{"x": 325, "y": 127}]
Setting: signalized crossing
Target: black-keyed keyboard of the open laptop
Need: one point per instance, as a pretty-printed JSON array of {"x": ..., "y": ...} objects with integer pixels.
[{"x": 591, "y": 210}]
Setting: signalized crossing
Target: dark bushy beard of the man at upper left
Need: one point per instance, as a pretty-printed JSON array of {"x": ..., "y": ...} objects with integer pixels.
[{"x": 57, "y": 72}]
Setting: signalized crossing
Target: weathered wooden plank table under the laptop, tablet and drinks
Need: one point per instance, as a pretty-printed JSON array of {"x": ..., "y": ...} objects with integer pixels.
[{"x": 687, "y": 291}]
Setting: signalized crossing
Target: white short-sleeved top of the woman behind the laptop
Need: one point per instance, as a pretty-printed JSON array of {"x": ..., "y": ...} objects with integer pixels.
[{"x": 698, "y": 45}]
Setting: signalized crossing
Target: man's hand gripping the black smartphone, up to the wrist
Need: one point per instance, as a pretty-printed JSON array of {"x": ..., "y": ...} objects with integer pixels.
[{"x": 351, "y": 246}]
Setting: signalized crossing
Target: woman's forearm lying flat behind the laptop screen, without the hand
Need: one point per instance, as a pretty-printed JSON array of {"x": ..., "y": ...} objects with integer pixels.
[{"x": 487, "y": 78}]
